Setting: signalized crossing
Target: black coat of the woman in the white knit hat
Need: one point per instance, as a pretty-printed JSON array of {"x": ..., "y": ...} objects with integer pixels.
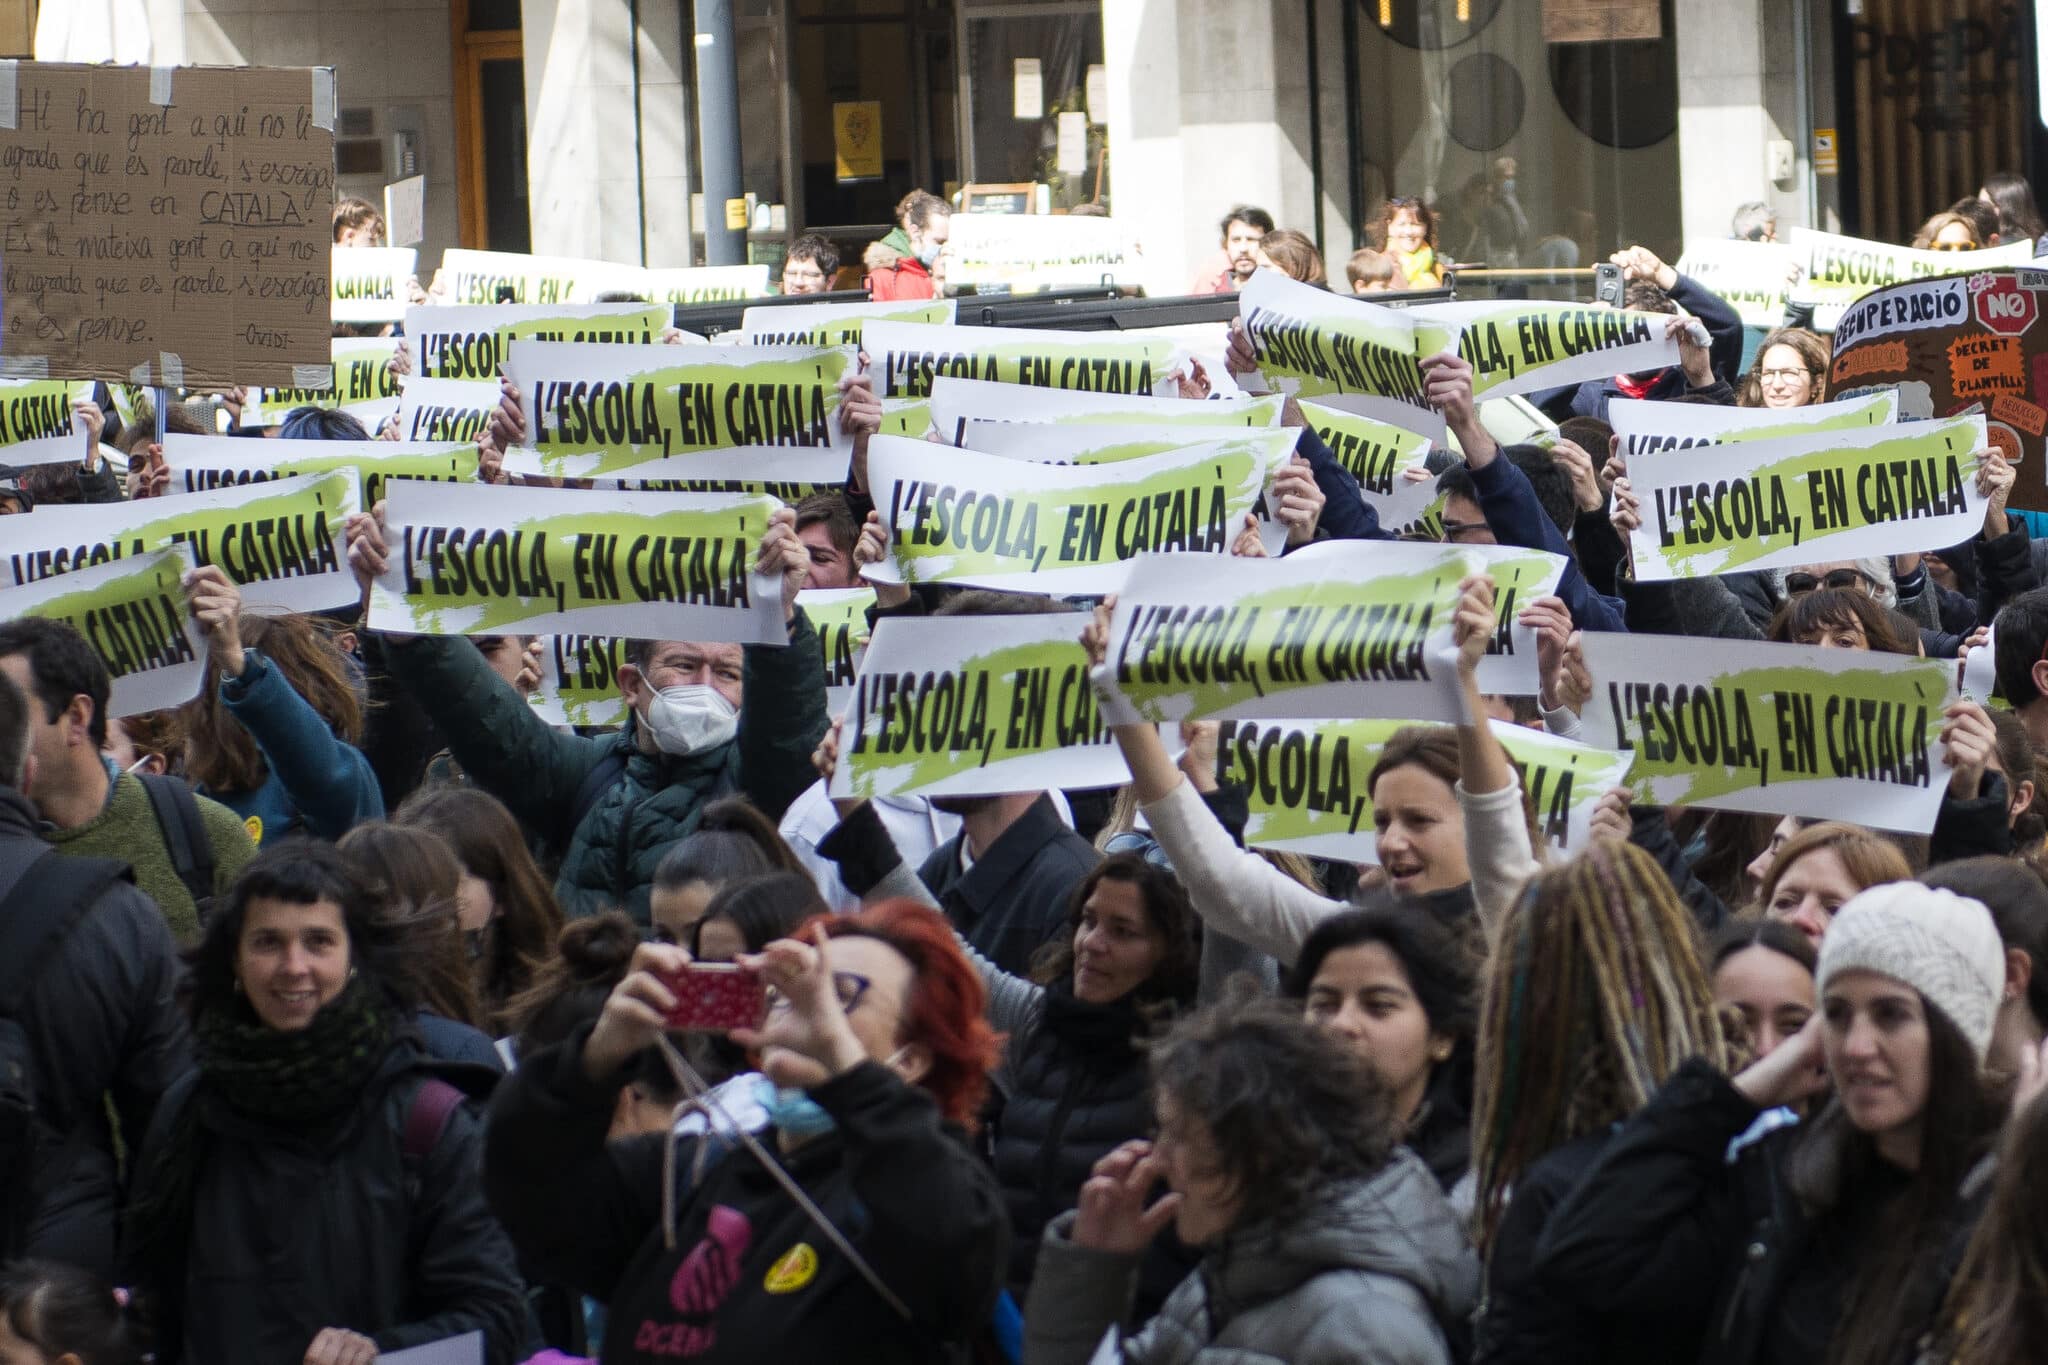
[{"x": 1723, "y": 1251}]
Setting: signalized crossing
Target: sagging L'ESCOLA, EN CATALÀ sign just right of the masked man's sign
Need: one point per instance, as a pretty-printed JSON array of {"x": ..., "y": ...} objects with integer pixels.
[{"x": 955, "y": 517}]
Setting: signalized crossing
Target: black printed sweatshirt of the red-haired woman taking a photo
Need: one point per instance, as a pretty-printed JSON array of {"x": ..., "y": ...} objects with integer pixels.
[{"x": 751, "y": 1278}]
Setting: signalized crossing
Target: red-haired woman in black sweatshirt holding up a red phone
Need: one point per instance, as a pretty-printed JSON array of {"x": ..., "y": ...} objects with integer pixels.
[{"x": 876, "y": 1057}]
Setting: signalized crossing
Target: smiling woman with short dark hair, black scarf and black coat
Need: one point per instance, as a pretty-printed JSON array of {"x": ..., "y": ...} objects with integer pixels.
[{"x": 312, "y": 1194}]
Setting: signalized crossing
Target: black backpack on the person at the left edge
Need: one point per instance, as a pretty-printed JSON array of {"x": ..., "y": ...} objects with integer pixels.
[{"x": 38, "y": 914}]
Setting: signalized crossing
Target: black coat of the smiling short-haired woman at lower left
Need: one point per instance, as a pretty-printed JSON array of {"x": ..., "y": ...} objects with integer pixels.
[{"x": 302, "y": 1231}]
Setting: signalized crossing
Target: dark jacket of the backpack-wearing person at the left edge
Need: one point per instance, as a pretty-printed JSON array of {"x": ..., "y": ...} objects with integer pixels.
[{"x": 101, "y": 1024}]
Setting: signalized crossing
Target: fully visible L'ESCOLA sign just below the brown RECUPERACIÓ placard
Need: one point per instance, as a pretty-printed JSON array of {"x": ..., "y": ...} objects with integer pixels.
[{"x": 1807, "y": 500}]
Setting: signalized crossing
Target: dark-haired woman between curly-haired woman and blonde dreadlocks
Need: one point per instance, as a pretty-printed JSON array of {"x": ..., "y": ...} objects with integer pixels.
[{"x": 1402, "y": 994}]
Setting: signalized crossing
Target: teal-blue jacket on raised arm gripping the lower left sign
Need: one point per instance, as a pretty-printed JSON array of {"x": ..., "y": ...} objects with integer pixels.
[{"x": 318, "y": 783}]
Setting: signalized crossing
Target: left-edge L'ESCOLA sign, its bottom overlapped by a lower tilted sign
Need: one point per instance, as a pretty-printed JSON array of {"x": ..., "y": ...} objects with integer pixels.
[{"x": 282, "y": 539}]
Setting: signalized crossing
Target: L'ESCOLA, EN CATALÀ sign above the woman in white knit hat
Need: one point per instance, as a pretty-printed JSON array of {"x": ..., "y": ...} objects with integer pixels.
[{"x": 1781, "y": 730}]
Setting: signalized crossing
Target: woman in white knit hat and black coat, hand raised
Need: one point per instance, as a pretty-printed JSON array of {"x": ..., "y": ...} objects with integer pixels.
[{"x": 1830, "y": 1241}]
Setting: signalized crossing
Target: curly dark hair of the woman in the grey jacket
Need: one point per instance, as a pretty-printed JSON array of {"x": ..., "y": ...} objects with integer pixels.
[{"x": 1287, "y": 1108}]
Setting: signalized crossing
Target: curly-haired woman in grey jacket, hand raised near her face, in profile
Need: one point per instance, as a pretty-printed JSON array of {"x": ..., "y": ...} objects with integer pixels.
[{"x": 1322, "y": 1237}]
